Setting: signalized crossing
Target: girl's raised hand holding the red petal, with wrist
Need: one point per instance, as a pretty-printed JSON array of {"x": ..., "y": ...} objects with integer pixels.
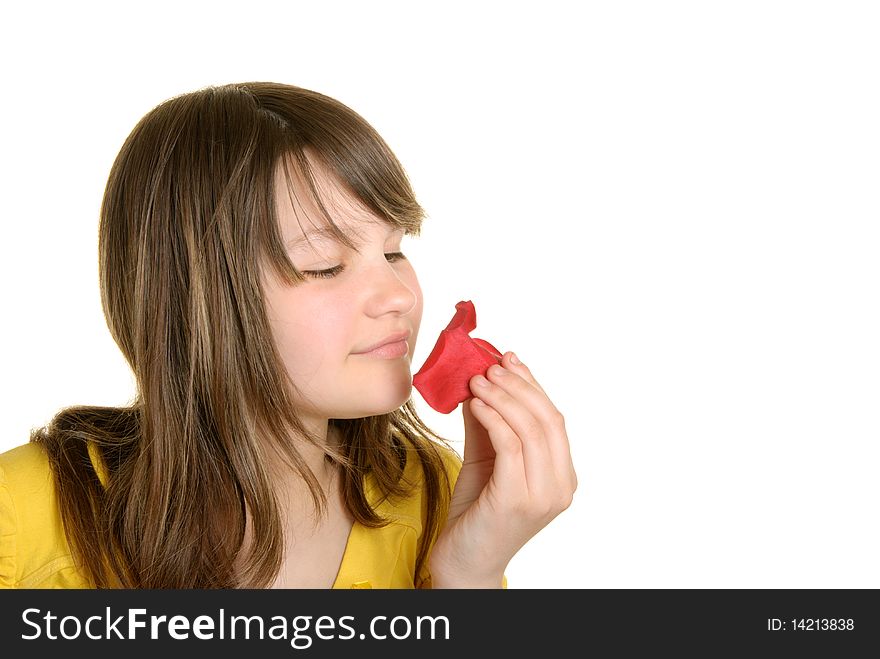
[{"x": 517, "y": 475}]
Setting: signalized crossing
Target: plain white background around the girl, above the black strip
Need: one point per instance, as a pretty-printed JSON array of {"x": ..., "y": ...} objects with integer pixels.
[{"x": 668, "y": 210}]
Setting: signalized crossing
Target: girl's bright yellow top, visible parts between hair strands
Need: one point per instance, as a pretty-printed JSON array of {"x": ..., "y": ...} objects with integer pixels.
[{"x": 34, "y": 552}]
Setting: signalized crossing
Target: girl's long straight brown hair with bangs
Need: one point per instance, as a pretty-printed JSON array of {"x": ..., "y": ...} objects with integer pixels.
[{"x": 188, "y": 220}]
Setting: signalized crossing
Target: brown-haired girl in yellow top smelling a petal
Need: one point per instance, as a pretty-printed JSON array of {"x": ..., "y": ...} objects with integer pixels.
[{"x": 250, "y": 260}]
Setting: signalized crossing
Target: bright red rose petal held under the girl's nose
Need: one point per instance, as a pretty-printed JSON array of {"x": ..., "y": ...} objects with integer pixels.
[{"x": 456, "y": 358}]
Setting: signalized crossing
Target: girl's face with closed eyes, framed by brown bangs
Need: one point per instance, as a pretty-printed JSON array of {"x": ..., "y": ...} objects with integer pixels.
[{"x": 323, "y": 325}]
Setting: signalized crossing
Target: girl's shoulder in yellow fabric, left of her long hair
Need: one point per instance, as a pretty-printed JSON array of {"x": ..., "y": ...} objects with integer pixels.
[{"x": 33, "y": 548}]
